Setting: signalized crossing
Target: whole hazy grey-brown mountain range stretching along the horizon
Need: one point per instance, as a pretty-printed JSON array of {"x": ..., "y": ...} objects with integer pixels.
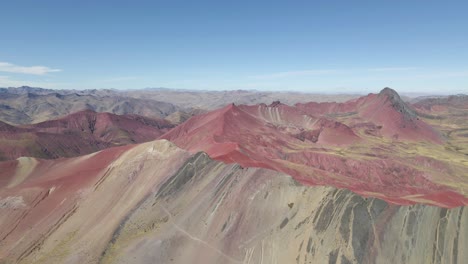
[{"x": 25, "y": 105}]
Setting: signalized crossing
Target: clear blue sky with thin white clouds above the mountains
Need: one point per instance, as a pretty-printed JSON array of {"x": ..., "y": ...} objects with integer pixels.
[{"x": 309, "y": 46}]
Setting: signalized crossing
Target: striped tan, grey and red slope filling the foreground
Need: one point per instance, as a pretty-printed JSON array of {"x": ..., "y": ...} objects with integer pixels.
[{"x": 156, "y": 203}]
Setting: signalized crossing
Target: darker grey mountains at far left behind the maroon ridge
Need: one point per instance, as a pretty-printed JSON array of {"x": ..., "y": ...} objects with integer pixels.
[{"x": 31, "y": 105}]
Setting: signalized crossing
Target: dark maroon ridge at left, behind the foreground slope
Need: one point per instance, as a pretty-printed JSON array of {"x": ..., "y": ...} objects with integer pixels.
[{"x": 77, "y": 134}]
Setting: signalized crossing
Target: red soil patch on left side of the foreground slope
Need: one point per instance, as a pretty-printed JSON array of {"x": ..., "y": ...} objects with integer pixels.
[{"x": 60, "y": 182}]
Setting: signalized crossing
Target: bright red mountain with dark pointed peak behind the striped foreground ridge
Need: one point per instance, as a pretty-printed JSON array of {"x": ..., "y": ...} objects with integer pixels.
[{"x": 359, "y": 145}]
